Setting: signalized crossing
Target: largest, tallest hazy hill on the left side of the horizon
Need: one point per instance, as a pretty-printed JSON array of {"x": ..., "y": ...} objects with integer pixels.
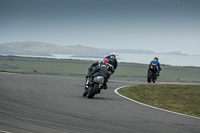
[{"x": 40, "y": 48}]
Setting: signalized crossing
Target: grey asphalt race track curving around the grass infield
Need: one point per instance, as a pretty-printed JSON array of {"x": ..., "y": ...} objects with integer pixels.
[{"x": 48, "y": 104}]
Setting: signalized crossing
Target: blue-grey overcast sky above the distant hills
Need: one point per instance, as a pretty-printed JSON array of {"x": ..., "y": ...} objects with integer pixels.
[{"x": 157, "y": 25}]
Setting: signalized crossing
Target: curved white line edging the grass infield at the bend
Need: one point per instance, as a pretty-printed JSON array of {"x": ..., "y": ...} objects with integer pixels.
[{"x": 116, "y": 91}]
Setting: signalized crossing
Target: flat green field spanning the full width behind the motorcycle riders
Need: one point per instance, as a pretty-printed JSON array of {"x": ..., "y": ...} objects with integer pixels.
[{"x": 78, "y": 68}]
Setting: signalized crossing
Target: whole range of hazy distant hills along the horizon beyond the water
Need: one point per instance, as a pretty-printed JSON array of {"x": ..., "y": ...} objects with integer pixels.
[{"x": 46, "y": 49}]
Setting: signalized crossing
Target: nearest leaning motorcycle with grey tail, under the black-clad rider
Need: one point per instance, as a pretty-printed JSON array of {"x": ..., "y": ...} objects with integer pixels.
[{"x": 93, "y": 88}]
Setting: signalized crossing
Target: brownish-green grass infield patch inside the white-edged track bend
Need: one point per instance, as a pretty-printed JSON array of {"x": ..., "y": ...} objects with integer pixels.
[{"x": 178, "y": 98}]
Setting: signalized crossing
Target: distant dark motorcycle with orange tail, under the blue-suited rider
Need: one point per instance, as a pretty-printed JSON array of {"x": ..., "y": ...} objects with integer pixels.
[{"x": 151, "y": 76}]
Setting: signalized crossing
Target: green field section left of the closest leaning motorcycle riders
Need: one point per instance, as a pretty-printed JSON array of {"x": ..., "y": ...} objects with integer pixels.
[{"x": 44, "y": 66}]
